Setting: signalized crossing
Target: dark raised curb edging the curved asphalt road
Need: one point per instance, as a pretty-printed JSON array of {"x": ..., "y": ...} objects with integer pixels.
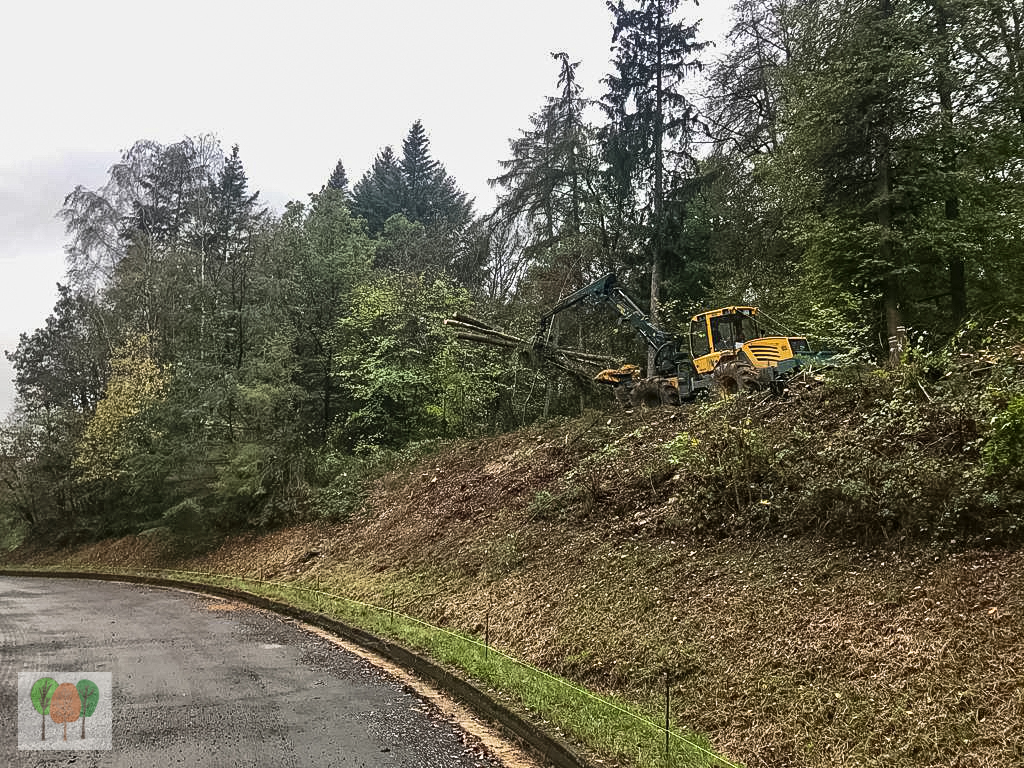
[{"x": 550, "y": 750}]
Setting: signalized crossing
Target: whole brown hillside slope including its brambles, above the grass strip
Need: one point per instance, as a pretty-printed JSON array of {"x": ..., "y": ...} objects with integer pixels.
[{"x": 875, "y": 629}]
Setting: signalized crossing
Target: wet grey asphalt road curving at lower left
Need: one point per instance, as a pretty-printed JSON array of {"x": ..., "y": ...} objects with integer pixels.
[{"x": 199, "y": 681}]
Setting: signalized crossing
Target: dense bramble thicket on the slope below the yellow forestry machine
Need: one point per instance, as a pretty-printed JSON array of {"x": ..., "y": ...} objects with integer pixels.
[{"x": 930, "y": 452}]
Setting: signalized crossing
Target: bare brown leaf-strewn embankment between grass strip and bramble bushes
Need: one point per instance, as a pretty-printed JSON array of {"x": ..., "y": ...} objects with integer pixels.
[{"x": 786, "y": 651}]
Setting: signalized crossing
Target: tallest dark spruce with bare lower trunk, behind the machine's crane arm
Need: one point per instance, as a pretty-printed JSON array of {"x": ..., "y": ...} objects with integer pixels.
[{"x": 647, "y": 109}]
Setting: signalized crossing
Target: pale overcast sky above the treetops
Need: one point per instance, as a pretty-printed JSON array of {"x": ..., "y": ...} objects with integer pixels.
[{"x": 297, "y": 86}]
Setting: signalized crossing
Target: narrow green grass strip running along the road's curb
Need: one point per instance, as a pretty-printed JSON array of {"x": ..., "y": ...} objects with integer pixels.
[{"x": 608, "y": 728}]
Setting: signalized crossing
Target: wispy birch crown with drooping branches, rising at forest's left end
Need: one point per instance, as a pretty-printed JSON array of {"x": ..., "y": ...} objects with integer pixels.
[{"x": 144, "y": 239}]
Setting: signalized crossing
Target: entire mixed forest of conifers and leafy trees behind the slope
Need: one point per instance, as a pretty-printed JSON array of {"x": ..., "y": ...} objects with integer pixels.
[{"x": 856, "y": 167}]
